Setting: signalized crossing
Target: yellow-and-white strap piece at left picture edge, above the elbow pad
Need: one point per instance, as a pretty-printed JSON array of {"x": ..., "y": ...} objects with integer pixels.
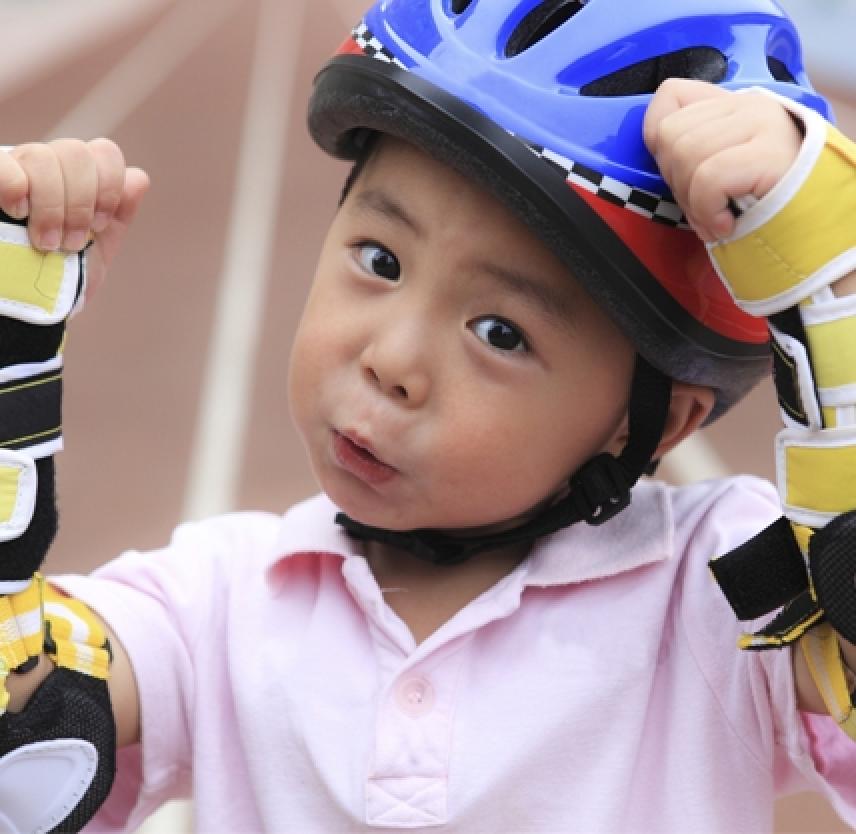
[{"x": 21, "y": 631}]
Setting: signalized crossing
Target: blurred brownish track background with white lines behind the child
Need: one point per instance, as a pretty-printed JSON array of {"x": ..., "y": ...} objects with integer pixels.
[{"x": 175, "y": 403}]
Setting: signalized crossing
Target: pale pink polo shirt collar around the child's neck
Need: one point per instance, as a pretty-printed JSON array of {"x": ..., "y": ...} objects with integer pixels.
[{"x": 639, "y": 535}]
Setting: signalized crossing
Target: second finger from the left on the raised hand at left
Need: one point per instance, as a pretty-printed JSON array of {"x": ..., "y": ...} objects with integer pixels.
[{"x": 46, "y": 194}]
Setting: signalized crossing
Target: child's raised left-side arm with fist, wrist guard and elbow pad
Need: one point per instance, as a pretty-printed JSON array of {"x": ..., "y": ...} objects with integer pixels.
[{"x": 63, "y": 192}]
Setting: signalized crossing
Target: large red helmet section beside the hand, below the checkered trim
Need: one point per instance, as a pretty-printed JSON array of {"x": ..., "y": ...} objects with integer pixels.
[{"x": 680, "y": 263}]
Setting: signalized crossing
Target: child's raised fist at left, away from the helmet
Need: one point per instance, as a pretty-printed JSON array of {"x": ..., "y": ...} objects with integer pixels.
[{"x": 68, "y": 189}]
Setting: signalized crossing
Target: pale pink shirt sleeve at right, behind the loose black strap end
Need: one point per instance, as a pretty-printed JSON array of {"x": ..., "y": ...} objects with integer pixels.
[{"x": 756, "y": 690}]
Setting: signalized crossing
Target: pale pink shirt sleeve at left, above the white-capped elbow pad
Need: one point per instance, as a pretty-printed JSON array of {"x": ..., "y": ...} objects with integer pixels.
[{"x": 163, "y": 606}]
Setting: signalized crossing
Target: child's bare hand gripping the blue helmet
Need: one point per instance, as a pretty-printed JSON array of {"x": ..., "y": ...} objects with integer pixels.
[{"x": 712, "y": 146}]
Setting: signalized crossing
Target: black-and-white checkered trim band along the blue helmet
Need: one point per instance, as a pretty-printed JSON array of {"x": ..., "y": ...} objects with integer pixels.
[{"x": 653, "y": 206}]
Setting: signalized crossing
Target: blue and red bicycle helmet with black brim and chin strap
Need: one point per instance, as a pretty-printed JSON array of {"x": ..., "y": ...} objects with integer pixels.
[{"x": 542, "y": 102}]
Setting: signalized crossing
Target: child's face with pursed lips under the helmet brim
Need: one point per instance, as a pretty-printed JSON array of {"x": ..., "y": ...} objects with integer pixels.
[{"x": 448, "y": 372}]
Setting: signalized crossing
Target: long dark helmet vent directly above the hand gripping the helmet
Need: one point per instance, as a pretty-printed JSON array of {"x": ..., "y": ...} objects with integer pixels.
[{"x": 702, "y": 63}]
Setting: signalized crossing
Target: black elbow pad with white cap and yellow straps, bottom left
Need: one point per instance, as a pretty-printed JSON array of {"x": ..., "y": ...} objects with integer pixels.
[{"x": 57, "y": 756}]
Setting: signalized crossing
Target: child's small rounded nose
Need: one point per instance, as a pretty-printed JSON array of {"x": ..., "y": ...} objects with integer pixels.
[{"x": 394, "y": 363}]
